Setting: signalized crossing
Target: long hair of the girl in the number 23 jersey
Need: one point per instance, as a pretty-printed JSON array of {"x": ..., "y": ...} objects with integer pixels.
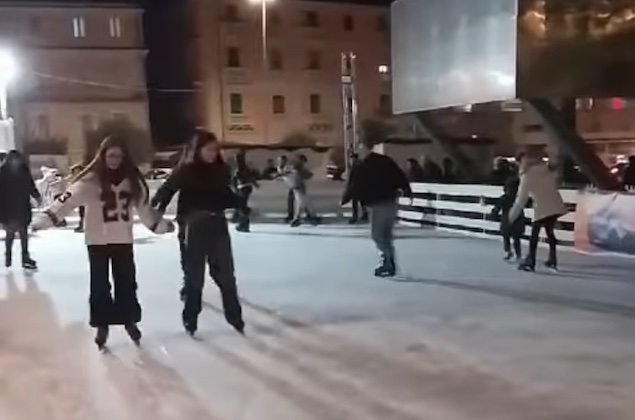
[{"x": 138, "y": 186}]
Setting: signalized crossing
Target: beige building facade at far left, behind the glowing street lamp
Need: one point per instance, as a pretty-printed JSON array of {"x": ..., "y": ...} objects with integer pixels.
[{"x": 79, "y": 64}]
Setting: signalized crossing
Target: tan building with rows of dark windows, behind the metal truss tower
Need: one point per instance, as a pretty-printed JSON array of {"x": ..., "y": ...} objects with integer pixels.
[{"x": 293, "y": 95}]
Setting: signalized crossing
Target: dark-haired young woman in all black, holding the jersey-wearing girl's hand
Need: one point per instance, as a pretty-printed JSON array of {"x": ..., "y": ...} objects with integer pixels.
[{"x": 203, "y": 182}]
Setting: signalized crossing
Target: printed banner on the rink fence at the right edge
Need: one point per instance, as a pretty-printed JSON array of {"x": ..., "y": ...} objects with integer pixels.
[{"x": 605, "y": 222}]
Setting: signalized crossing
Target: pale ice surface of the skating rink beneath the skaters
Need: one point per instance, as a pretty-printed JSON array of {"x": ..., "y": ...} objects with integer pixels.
[{"x": 459, "y": 335}]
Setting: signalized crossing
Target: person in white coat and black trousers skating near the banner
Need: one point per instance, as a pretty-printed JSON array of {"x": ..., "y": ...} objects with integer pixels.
[{"x": 539, "y": 182}]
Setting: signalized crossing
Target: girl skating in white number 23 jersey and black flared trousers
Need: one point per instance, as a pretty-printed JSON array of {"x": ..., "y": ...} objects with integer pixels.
[{"x": 110, "y": 187}]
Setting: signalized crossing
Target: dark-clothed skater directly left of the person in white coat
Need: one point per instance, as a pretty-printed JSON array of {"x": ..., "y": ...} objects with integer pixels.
[{"x": 512, "y": 232}]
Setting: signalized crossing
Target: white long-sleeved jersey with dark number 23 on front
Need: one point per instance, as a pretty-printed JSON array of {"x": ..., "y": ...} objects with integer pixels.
[{"x": 109, "y": 217}]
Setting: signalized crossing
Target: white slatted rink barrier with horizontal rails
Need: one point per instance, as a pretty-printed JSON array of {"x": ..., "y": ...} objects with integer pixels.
[{"x": 467, "y": 208}]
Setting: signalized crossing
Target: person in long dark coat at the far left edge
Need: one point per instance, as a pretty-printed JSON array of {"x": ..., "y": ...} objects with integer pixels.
[{"x": 17, "y": 187}]
